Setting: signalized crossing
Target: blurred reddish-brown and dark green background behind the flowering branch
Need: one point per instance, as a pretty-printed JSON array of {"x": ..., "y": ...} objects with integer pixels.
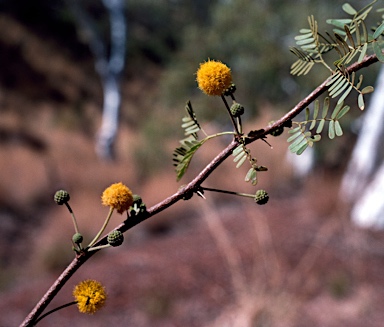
[{"x": 93, "y": 92}]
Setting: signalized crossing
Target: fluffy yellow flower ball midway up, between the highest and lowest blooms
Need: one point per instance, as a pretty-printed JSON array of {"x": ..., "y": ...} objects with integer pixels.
[{"x": 117, "y": 196}]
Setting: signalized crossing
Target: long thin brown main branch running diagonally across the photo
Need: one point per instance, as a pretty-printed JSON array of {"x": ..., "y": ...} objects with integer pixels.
[{"x": 192, "y": 187}]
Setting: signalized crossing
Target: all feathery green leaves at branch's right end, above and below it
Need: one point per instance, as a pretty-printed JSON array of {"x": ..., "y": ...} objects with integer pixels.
[{"x": 350, "y": 42}]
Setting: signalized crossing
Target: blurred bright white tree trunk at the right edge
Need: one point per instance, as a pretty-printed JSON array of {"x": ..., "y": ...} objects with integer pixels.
[{"x": 363, "y": 182}]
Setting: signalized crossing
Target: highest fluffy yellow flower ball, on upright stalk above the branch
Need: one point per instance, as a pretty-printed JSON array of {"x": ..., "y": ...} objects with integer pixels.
[{"x": 213, "y": 77}]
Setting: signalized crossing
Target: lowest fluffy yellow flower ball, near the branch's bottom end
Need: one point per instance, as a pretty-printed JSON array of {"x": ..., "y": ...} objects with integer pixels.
[{"x": 90, "y": 296}]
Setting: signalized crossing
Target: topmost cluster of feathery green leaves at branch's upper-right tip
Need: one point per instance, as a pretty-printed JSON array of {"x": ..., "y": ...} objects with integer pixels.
[{"x": 350, "y": 41}]
